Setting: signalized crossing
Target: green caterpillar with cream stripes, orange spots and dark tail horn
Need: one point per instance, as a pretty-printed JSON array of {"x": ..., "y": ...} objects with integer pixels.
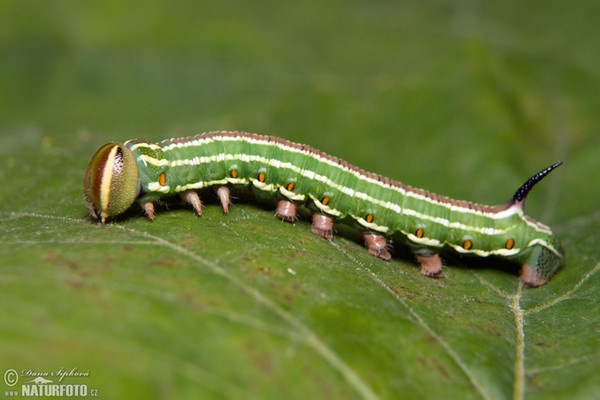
[{"x": 334, "y": 190}]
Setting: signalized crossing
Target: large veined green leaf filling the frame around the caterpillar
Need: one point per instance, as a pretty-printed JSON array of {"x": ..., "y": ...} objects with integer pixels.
[{"x": 467, "y": 100}]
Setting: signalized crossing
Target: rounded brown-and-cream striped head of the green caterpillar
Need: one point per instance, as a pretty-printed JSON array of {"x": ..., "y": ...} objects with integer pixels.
[{"x": 112, "y": 181}]
